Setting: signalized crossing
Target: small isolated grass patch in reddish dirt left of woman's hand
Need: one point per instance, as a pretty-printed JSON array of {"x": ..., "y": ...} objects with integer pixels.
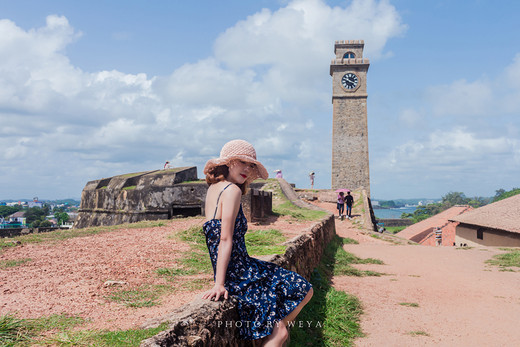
[{"x": 145, "y": 296}]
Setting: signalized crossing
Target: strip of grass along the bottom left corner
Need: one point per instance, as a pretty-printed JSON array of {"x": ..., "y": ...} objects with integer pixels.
[{"x": 60, "y": 330}]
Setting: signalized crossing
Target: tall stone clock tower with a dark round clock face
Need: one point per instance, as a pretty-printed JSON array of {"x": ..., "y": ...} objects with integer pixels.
[{"x": 349, "y": 116}]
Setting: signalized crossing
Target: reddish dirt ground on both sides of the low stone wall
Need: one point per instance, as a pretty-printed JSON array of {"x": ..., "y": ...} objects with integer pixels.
[{"x": 461, "y": 300}]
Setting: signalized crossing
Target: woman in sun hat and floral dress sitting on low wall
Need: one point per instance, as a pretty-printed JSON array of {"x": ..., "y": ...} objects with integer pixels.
[{"x": 269, "y": 297}]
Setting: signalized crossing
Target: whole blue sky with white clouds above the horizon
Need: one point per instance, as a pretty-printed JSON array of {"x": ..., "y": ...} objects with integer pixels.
[{"x": 92, "y": 89}]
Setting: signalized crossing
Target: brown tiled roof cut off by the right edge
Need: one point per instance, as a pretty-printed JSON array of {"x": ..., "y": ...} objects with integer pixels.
[{"x": 502, "y": 215}]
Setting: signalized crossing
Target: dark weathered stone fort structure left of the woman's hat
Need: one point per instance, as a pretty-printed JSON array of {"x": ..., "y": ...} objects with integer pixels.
[{"x": 141, "y": 196}]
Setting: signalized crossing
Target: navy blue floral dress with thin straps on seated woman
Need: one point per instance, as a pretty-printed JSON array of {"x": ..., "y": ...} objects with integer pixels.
[{"x": 266, "y": 293}]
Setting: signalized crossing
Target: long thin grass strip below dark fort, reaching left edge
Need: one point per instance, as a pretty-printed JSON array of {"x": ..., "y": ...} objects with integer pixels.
[{"x": 65, "y": 234}]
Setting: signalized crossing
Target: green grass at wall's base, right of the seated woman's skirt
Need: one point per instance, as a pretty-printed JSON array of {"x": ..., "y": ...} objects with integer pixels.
[{"x": 331, "y": 318}]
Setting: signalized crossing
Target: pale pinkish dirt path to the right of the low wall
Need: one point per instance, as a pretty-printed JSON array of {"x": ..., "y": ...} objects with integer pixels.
[{"x": 461, "y": 300}]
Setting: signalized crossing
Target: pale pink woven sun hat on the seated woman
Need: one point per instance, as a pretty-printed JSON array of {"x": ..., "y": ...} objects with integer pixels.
[{"x": 241, "y": 150}]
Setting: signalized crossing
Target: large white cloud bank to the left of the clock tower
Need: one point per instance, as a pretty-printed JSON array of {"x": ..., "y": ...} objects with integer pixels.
[{"x": 267, "y": 82}]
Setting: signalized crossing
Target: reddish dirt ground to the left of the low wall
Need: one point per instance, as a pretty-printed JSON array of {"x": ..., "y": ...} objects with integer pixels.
[{"x": 69, "y": 276}]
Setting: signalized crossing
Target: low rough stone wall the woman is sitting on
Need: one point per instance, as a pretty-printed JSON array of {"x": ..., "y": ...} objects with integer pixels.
[{"x": 208, "y": 323}]
